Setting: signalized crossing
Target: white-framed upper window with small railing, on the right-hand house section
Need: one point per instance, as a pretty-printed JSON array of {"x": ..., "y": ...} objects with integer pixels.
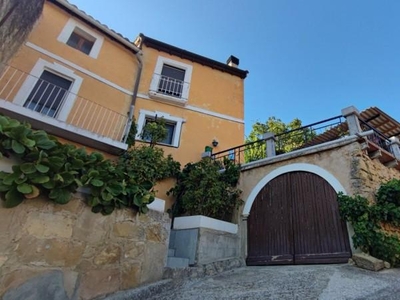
[{"x": 171, "y": 79}]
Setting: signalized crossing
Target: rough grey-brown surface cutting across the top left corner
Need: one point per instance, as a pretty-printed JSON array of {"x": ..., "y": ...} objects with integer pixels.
[{"x": 17, "y": 18}]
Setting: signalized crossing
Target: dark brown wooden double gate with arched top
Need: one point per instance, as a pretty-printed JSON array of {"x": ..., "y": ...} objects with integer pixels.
[{"x": 295, "y": 220}]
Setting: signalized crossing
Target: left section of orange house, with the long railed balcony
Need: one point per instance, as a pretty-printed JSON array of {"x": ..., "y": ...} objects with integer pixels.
[{"x": 74, "y": 78}]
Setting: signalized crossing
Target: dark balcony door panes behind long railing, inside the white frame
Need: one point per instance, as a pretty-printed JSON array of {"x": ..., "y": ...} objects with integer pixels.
[{"x": 48, "y": 94}]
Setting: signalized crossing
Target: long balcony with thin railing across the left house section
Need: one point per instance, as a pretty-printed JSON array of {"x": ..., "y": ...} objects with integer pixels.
[{"x": 51, "y": 107}]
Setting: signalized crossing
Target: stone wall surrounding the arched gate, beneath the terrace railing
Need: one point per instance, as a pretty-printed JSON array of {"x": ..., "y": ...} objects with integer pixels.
[{"x": 344, "y": 160}]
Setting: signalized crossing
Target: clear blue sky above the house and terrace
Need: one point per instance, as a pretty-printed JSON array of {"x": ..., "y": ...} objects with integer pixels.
[{"x": 307, "y": 59}]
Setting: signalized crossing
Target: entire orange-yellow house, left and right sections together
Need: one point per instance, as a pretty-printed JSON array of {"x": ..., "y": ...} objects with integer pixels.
[{"x": 85, "y": 84}]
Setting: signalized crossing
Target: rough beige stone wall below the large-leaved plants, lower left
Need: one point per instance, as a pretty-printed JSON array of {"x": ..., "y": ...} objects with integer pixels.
[{"x": 93, "y": 254}]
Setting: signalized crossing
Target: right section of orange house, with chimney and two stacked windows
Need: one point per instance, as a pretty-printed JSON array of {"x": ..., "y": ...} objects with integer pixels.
[{"x": 201, "y": 100}]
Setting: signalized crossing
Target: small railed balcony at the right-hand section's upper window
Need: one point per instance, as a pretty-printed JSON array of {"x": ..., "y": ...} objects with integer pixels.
[{"x": 169, "y": 89}]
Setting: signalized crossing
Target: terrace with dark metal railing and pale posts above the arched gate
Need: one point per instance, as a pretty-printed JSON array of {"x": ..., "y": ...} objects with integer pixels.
[{"x": 373, "y": 129}]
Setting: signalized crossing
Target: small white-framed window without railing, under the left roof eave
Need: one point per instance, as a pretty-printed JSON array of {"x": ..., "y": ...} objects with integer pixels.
[{"x": 81, "y": 38}]
